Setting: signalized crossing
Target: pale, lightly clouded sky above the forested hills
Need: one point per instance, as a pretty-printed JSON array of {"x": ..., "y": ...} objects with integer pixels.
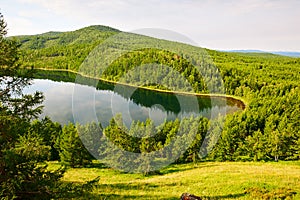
[{"x": 217, "y": 24}]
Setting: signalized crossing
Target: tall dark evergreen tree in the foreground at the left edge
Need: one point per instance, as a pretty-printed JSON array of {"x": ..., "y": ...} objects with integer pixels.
[{"x": 22, "y": 175}]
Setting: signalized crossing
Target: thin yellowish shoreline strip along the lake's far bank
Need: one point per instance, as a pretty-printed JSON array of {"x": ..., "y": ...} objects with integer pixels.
[{"x": 241, "y": 102}]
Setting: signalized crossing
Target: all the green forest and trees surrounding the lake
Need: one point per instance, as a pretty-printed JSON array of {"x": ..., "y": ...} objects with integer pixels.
[{"x": 267, "y": 130}]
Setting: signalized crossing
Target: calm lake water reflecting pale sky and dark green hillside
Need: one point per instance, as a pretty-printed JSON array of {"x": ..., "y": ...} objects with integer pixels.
[{"x": 66, "y": 101}]
